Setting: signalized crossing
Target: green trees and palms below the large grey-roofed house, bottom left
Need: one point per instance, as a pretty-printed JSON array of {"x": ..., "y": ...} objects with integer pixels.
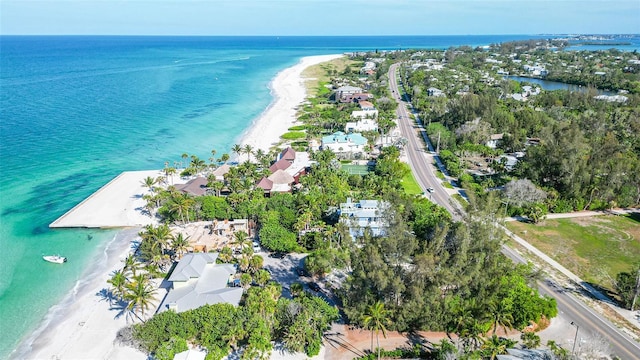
[{"x": 262, "y": 317}]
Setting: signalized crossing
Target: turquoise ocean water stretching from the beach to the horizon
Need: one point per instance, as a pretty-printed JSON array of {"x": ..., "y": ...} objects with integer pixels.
[{"x": 77, "y": 111}]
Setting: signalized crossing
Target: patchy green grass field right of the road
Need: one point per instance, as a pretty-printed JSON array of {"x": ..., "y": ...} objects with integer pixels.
[{"x": 595, "y": 248}]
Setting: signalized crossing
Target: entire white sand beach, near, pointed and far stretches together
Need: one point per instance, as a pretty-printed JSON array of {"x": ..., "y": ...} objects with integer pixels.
[{"x": 85, "y": 323}]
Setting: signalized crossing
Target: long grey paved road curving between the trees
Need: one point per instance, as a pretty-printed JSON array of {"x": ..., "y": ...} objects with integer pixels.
[{"x": 569, "y": 307}]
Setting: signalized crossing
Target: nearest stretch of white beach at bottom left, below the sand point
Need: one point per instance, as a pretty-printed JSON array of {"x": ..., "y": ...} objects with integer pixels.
[{"x": 83, "y": 312}]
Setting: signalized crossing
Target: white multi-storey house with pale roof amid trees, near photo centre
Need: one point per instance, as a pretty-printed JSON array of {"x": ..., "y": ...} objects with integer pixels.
[{"x": 363, "y": 214}]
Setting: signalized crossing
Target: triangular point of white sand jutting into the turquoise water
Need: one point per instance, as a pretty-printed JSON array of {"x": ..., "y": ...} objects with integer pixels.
[{"x": 119, "y": 203}]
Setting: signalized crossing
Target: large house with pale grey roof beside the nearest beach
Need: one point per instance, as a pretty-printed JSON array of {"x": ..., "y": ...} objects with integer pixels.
[{"x": 197, "y": 280}]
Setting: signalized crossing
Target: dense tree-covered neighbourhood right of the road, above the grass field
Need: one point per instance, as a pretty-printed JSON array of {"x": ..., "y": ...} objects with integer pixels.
[{"x": 583, "y": 152}]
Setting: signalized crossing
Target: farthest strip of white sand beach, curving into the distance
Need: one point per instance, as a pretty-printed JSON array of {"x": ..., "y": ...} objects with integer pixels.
[{"x": 289, "y": 92}]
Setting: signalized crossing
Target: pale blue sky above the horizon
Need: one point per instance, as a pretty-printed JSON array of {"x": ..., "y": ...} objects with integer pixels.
[{"x": 318, "y": 17}]
